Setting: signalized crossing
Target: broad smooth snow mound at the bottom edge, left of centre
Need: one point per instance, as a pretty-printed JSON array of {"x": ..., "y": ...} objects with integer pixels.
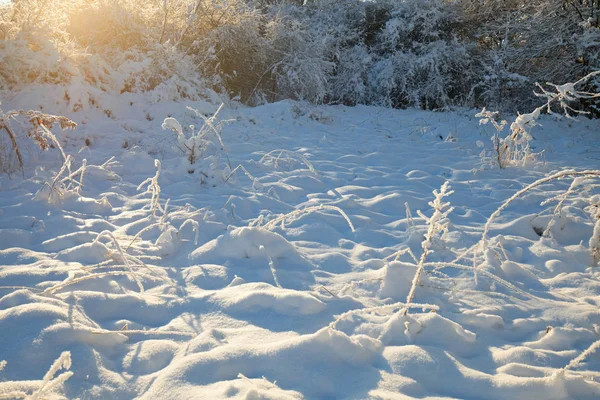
[{"x": 307, "y": 357}]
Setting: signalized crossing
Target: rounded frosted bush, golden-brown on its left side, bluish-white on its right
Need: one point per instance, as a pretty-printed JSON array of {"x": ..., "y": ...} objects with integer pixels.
[{"x": 259, "y": 56}]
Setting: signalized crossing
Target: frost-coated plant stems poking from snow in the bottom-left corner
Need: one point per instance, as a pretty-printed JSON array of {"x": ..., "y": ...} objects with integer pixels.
[{"x": 49, "y": 383}]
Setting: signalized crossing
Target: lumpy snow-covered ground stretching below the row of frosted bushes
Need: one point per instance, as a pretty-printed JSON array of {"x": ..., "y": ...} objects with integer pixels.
[{"x": 203, "y": 297}]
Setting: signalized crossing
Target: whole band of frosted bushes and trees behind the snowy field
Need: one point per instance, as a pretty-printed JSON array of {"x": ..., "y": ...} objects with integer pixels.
[{"x": 430, "y": 54}]
